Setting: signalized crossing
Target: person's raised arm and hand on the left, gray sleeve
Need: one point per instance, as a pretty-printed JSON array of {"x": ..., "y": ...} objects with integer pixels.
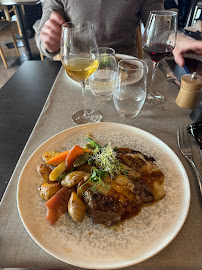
[{"x": 49, "y": 31}]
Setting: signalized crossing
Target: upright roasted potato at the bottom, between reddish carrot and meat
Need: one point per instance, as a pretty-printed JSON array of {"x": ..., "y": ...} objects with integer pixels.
[{"x": 76, "y": 208}]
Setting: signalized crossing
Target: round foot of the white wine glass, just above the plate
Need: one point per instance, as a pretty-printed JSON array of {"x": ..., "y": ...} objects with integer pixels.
[{"x": 86, "y": 116}]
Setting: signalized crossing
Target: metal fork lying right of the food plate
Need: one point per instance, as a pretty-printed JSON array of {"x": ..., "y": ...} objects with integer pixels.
[{"x": 186, "y": 150}]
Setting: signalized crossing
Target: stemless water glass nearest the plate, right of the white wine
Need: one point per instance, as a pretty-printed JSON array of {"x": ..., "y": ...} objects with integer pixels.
[{"x": 130, "y": 94}]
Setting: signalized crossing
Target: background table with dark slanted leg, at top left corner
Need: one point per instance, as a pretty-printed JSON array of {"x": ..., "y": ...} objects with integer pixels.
[{"x": 17, "y": 4}]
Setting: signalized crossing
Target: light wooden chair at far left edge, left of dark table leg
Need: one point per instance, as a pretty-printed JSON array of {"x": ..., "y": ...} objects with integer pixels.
[{"x": 7, "y": 26}]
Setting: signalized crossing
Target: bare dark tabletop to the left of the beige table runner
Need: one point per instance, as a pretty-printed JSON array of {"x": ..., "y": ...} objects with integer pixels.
[{"x": 21, "y": 101}]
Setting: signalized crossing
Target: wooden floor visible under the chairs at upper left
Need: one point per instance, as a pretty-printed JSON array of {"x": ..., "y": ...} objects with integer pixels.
[{"x": 12, "y": 59}]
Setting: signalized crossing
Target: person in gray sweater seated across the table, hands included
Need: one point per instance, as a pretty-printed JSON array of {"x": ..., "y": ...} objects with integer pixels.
[{"x": 115, "y": 25}]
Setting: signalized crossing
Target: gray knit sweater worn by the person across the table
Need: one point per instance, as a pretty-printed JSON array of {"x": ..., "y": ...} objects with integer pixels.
[{"x": 115, "y": 21}]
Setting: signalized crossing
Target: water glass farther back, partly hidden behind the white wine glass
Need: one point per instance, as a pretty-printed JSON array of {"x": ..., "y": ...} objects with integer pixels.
[{"x": 103, "y": 81}]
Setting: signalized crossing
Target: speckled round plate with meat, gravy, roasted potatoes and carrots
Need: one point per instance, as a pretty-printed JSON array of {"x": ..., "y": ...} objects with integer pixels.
[{"x": 103, "y": 196}]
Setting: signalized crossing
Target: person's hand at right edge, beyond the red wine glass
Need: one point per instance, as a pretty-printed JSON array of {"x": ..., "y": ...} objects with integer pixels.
[{"x": 185, "y": 44}]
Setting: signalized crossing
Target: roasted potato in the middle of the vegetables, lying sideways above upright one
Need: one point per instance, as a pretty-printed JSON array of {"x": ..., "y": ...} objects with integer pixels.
[{"x": 73, "y": 178}]
